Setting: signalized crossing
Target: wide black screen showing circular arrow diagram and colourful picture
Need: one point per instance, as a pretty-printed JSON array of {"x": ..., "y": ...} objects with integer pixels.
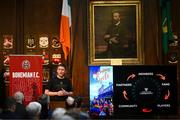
[{"x": 133, "y": 90}]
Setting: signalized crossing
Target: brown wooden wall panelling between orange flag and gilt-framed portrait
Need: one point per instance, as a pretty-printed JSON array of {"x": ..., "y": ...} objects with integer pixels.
[{"x": 79, "y": 65}]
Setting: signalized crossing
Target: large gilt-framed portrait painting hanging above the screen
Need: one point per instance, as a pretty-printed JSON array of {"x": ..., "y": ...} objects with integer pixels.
[{"x": 115, "y": 35}]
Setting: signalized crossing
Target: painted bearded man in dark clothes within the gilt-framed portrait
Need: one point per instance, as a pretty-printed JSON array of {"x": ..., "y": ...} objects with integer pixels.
[{"x": 116, "y": 37}]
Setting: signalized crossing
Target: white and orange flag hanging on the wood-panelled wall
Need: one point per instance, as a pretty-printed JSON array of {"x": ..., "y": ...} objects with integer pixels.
[{"x": 65, "y": 26}]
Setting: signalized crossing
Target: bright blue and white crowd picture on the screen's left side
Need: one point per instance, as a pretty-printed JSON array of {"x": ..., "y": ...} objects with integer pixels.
[{"x": 101, "y": 91}]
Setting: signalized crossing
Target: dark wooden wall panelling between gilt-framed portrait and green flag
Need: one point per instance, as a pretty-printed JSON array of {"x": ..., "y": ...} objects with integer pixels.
[{"x": 151, "y": 32}]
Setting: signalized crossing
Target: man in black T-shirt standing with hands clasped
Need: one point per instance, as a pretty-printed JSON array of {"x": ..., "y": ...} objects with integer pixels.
[{"x": 59, "y": 88}]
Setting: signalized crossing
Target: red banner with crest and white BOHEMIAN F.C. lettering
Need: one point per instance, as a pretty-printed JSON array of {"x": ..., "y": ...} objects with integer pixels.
[{"x": 26, "y": 76}]
